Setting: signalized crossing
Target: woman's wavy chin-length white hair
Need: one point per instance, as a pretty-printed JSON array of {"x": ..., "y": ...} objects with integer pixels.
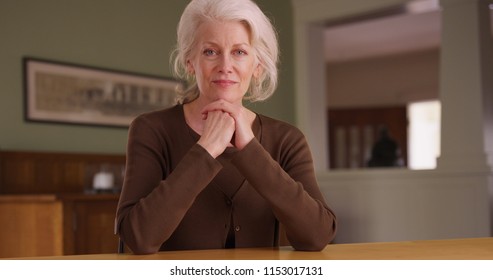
[{"x": 263, "y": 40}]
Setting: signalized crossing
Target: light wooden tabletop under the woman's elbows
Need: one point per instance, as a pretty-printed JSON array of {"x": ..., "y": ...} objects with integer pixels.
[{"x": 454, "y": 249}]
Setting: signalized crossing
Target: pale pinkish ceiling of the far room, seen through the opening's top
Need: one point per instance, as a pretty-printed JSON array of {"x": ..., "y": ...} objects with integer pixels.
[{"x": 412, "y": 28}]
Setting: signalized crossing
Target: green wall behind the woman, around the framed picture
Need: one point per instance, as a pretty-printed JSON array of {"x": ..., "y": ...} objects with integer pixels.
[{"x": 129, "y": 35}]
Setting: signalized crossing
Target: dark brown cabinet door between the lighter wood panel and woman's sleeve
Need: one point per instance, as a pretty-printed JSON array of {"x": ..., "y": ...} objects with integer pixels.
[{"x": 93, "y": 226}]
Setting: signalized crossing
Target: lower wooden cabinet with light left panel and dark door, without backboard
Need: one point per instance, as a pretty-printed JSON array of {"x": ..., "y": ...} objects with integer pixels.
[{"x": 55, "y": 225}]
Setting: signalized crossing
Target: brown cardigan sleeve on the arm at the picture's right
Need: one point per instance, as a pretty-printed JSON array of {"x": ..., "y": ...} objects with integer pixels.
[{"x": 291, "y": 190}]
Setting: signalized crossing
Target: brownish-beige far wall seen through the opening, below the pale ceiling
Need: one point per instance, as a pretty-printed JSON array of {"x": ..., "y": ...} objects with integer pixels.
[{"x": 397, "y": 79}]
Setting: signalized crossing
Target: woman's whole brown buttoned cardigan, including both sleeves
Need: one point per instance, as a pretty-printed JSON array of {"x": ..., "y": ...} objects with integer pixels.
[{"x": 176, "y": 196}]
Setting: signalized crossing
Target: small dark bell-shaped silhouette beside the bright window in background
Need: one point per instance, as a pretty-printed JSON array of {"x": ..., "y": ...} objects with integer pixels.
[{"x": 385, "y": 152}]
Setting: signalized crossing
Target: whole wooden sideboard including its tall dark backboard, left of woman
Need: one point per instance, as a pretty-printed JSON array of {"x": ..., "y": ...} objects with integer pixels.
[{"x": 47, "y": 206}]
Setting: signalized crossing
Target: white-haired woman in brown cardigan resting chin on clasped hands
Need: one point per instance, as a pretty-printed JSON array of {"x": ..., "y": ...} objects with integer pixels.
[{"x": 208, "y": 172}]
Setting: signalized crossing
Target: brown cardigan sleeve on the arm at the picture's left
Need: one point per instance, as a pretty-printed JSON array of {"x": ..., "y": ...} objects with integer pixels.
[{"x": 151, "y": 208}]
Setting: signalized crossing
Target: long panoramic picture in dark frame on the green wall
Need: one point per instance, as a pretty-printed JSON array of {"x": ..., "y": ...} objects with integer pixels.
[{"x": 69, "y": 93}]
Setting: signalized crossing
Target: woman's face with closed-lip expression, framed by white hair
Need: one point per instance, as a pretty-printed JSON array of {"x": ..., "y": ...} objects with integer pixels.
[{"x": 223, "y": 61}]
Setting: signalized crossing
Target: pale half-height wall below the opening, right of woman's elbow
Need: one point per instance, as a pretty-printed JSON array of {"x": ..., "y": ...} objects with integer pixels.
[{"x": 399, "y": 204}]
